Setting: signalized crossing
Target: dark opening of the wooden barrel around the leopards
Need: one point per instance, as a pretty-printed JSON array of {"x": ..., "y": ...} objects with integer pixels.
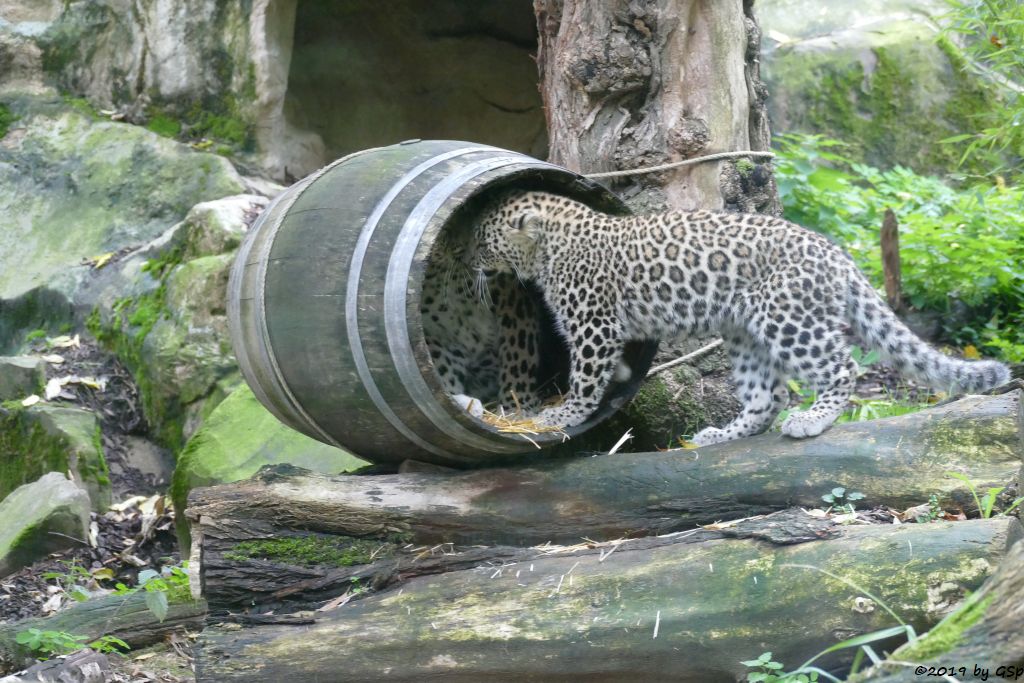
[{"x": 447, "y": 280}]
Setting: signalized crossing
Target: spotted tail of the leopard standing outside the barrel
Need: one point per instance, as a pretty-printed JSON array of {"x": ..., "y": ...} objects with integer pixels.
[{"x": 877, "y": 327}]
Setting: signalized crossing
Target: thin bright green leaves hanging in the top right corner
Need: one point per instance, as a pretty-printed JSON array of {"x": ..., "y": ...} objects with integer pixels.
[{"x": 993, "y": 34}]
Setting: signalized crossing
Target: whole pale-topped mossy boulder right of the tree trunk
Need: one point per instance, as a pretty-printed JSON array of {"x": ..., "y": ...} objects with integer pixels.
[{"x": 874, "y": 74}]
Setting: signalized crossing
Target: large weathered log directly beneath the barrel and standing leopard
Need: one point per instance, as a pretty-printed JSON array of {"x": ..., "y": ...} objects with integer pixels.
[{"x": 898, "y": 463}]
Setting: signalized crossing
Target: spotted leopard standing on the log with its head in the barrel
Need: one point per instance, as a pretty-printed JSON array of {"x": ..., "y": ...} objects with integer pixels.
[{"x": 783, "y": 298}]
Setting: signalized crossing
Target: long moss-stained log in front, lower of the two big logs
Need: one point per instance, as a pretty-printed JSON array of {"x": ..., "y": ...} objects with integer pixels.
[{"x": 682, "y": 612}]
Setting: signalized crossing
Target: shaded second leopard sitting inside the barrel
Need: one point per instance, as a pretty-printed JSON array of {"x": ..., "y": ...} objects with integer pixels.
[{"x": 484, "y": 352}]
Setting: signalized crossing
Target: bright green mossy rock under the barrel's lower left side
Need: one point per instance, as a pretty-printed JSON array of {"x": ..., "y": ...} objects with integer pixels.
[{"x": 238, "y": 439}]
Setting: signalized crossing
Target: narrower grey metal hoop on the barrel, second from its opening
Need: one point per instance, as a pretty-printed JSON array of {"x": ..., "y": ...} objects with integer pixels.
[{"x": 352, "y": 297}]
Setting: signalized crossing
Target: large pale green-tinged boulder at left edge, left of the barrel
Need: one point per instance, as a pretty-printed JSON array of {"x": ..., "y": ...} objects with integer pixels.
[{"x": 82, "y": 190}]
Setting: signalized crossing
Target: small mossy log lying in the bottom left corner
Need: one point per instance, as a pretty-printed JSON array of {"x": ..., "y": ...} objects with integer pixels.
[{"x": 125, "y": 617}]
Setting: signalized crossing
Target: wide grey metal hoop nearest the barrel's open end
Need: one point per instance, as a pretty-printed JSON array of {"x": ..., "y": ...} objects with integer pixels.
[{"x": 396, "y": 306}]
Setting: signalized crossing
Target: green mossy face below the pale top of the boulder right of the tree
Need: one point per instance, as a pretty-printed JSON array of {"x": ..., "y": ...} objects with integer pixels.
[{"x": 892, "y": 97}]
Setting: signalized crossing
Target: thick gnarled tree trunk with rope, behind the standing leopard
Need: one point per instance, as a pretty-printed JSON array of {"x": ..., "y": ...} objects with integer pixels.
[{"x": 630, "y": 84}]
